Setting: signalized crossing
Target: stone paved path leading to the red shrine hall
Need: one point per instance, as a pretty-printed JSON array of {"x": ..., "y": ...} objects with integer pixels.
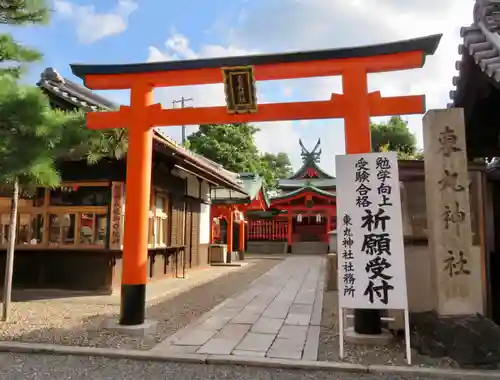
[{"x": 278, "y": 316}]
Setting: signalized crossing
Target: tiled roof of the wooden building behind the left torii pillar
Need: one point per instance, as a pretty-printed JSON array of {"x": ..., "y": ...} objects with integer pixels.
[{"x": 81, "y": 97}]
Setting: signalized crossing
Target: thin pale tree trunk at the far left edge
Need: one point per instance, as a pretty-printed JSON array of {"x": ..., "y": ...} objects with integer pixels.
[{"x": 9, "y": 262}]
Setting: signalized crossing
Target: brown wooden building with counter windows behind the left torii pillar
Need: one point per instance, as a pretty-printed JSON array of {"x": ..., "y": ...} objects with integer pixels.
[{"x": 71, "y": 237}]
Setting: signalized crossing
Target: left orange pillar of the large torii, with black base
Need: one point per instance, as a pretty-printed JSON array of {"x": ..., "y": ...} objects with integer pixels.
[{"x": 138, "y": 188}]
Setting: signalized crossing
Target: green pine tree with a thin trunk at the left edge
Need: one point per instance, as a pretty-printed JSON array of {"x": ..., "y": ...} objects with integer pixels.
[{"x": 16, "y": 117}]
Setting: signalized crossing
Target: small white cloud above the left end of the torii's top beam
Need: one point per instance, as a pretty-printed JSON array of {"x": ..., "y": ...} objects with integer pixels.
[{"x": 92, "y": 26}]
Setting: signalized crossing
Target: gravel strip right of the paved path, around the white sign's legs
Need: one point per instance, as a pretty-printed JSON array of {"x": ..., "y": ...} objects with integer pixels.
[{"x": 393, "y": 354}]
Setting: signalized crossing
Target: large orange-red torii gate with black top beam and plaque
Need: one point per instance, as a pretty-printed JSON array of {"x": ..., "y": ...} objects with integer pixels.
[{"x": 355, "y": 105}]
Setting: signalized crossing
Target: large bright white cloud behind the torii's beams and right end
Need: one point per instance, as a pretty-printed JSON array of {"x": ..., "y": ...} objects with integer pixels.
[{"x": 291, "y": 25}]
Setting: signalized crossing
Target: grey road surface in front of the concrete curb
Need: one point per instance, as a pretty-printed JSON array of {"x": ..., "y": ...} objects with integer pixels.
[{"x": 47, "y": 367}]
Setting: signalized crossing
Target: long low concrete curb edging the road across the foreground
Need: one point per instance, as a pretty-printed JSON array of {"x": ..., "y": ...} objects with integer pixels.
[{"x": 54, "y": 349}]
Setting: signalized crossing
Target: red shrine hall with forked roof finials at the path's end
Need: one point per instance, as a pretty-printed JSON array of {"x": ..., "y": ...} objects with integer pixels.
[{"x": 299, "y": 218}]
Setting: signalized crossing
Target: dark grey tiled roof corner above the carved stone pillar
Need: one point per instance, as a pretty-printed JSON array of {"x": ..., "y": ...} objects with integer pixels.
[{"x": 481, "y": 42}]
